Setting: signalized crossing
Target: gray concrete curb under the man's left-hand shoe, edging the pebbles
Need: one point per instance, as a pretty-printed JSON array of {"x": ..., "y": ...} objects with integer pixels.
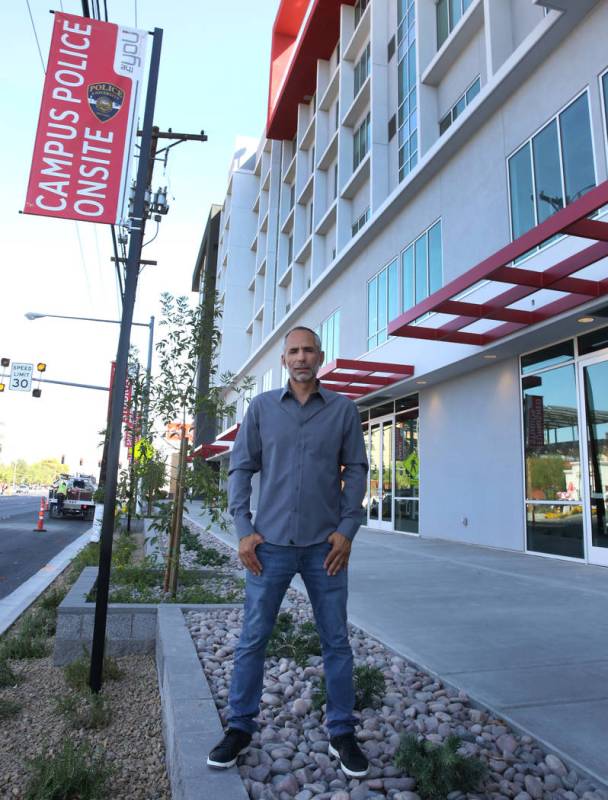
[{"x": 191, "y": 724}]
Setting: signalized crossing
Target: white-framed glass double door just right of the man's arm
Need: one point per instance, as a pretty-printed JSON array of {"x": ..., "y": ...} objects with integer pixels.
[{"x": 380, "y": 495}]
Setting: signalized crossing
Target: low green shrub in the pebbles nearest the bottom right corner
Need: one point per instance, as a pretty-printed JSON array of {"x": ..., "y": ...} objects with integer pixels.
[{"x": 438, "y": 769}]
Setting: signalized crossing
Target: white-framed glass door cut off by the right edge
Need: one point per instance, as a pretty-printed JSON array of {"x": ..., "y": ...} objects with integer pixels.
[{"x": 593, "y": 393}]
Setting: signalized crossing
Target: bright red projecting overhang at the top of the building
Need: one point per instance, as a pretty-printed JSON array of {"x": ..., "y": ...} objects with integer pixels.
[{"x": 293, "y": 69}]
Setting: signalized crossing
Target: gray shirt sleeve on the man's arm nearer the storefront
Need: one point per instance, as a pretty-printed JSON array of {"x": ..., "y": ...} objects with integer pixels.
[{"x": 354, "y": 476}]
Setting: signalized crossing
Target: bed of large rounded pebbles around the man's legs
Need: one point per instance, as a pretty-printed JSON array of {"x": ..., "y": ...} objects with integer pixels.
[{"x": 289, "y": 755}]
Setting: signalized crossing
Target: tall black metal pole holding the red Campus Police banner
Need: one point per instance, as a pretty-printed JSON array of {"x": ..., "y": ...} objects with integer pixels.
[{"x": 120, "y": 379}]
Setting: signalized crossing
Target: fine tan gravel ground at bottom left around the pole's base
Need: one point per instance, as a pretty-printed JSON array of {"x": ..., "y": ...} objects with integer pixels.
[{"x": 132, "y": 743}]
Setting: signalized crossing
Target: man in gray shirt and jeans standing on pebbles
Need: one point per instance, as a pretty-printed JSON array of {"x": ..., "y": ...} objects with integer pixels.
[{"x": 307, "y": 444}]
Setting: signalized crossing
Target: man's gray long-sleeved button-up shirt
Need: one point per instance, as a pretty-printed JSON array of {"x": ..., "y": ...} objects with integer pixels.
[{"x": 312, "y": 464}]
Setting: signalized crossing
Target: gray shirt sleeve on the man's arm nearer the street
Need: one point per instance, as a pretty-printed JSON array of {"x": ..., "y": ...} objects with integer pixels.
[{"x": 245, "y": 461}]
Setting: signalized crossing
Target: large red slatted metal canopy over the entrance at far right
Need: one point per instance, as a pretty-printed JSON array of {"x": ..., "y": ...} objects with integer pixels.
[{"x": 533, "y": 295}]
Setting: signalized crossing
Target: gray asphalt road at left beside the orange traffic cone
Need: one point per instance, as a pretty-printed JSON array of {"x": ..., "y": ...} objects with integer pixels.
[{"x": 22, "y": 550}]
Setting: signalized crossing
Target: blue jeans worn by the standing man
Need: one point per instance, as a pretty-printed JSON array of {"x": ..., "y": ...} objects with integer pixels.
[{"x": 263, "y": 596}]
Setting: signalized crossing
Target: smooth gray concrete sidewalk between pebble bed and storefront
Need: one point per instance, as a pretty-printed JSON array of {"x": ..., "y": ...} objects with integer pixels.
[{"x": 523, "y": 635}]
